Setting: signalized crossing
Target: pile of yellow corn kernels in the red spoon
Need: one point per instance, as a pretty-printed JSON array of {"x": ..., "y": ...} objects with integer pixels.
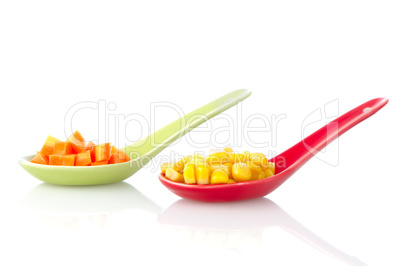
[{"x": 220, "y": 167}]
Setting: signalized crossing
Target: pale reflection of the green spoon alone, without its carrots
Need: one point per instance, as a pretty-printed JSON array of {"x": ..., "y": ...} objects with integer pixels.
[{"x": 85, "y": 200}]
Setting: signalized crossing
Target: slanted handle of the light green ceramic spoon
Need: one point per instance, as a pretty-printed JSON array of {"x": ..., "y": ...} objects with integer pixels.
[{"x": 153, "y": 144}]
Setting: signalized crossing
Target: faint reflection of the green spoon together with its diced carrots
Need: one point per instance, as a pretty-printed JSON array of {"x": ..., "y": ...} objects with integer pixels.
[{"x": 73, "y": 208}]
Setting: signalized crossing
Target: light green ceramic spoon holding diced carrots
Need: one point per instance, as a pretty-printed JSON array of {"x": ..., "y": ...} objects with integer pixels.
[{"x": 140, "y": 152}]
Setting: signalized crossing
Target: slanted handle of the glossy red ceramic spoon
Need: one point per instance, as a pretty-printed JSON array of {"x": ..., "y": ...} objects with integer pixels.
[{"x": 300, "y": 153}]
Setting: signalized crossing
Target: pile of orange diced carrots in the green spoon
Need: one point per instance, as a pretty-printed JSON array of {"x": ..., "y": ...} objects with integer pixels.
[{"x": 76, "y": 152}]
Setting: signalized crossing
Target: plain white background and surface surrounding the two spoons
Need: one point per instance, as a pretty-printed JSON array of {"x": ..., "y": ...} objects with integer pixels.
[{"x": 295, "y": 56}]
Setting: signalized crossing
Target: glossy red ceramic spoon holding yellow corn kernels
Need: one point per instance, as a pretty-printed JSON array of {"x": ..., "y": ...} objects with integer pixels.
[{"x": 286, "y": 163}]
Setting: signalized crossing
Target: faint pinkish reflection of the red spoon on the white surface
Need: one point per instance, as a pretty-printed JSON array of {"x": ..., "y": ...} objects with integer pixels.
[{"x": 244, "y": 216}]
